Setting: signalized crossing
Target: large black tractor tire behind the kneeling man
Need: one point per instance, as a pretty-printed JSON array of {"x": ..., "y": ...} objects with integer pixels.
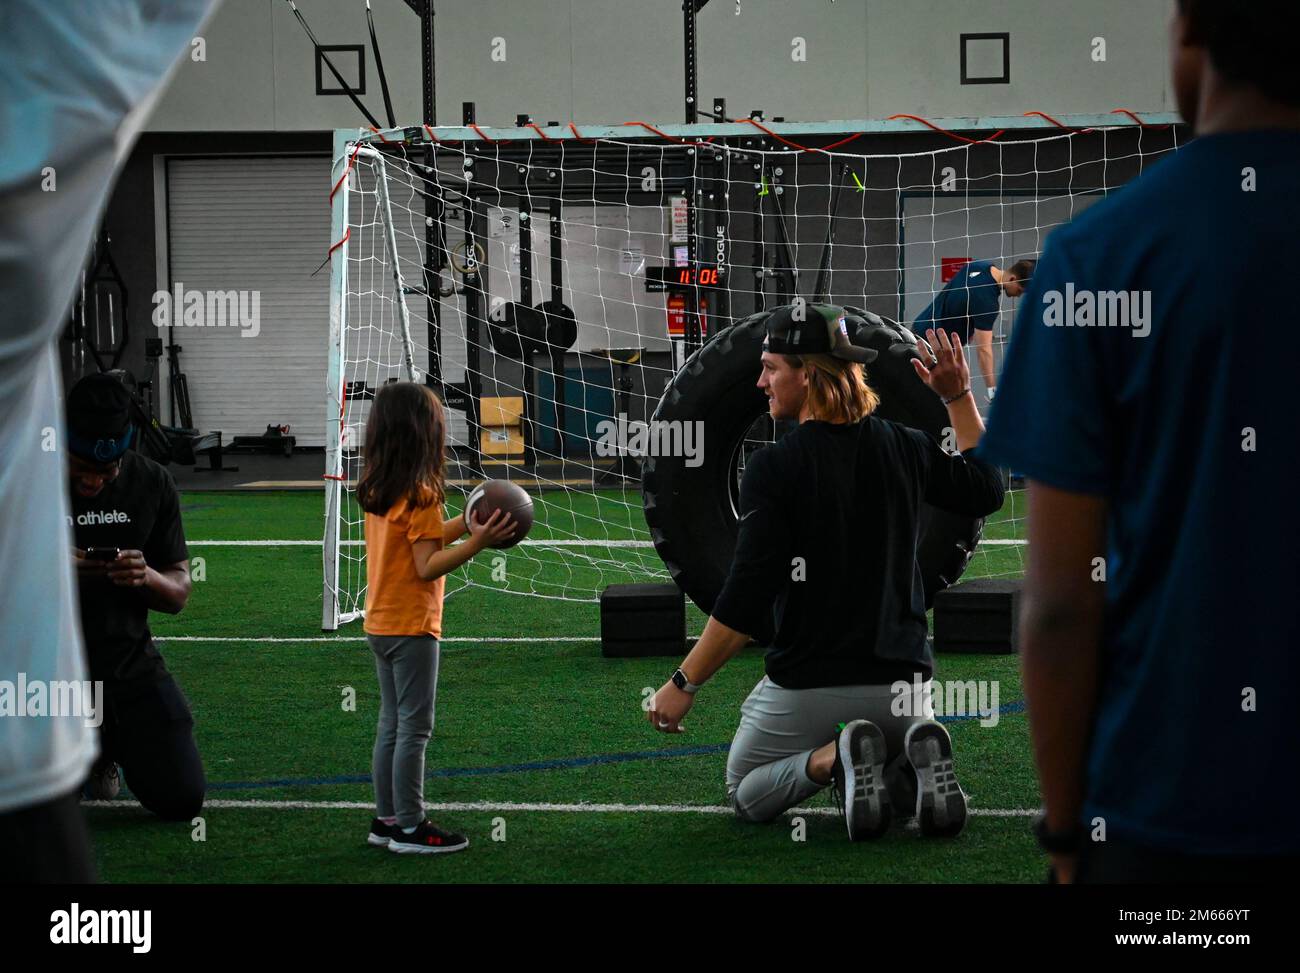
[{"x": 692, "y": 511}]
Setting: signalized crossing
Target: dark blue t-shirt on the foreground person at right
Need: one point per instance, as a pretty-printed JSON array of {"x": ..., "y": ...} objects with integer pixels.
[{"x": 1182, "y": 420}]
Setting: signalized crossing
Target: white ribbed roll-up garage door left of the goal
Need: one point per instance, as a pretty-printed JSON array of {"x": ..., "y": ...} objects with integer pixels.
[{"x": 258, "y": 227}]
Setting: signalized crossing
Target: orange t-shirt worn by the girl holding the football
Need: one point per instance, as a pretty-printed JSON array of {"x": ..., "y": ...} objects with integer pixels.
[{"x": 397, "y": 602}]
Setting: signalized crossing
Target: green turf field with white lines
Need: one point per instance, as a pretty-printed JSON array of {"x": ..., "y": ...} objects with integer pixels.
[{"x": 543, "y": 720}]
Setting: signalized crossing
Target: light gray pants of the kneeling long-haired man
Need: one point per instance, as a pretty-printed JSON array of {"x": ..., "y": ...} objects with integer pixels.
[{"x": 779, "y": 728}]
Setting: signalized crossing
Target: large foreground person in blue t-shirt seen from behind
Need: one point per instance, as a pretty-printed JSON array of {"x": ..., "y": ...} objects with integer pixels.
[{"x": 1152, "y": 421}]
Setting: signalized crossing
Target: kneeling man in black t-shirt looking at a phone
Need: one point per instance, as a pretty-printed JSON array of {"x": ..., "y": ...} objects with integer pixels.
[{"x": 131, "y": 559}]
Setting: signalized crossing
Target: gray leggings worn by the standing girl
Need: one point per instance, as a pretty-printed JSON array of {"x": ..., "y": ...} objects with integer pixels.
[{"x": 408, "y": 667}]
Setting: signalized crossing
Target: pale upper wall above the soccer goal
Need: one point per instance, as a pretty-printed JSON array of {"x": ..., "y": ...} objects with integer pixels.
[{"x": 622, "y": 60}]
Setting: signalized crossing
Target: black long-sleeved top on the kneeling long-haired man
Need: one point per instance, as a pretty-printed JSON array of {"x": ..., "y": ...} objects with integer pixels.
[{"x": 827, "y": 551}]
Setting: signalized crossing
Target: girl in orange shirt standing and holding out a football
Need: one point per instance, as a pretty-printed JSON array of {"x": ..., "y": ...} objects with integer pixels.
[{"x": 406, "y": 560}]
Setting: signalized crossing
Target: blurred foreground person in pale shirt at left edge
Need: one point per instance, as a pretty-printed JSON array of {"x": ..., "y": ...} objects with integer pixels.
[{"x": 77, "y": 83}]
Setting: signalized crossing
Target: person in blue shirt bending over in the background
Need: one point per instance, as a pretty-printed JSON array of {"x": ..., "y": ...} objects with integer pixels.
[{"x": 969, "y": 305}]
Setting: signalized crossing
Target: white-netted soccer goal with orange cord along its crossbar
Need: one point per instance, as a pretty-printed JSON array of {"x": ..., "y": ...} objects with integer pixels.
[{"x": 586, "y": 304}]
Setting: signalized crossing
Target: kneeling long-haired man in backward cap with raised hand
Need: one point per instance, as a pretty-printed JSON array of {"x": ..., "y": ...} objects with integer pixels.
[{"x": 827, "y": 557}]
